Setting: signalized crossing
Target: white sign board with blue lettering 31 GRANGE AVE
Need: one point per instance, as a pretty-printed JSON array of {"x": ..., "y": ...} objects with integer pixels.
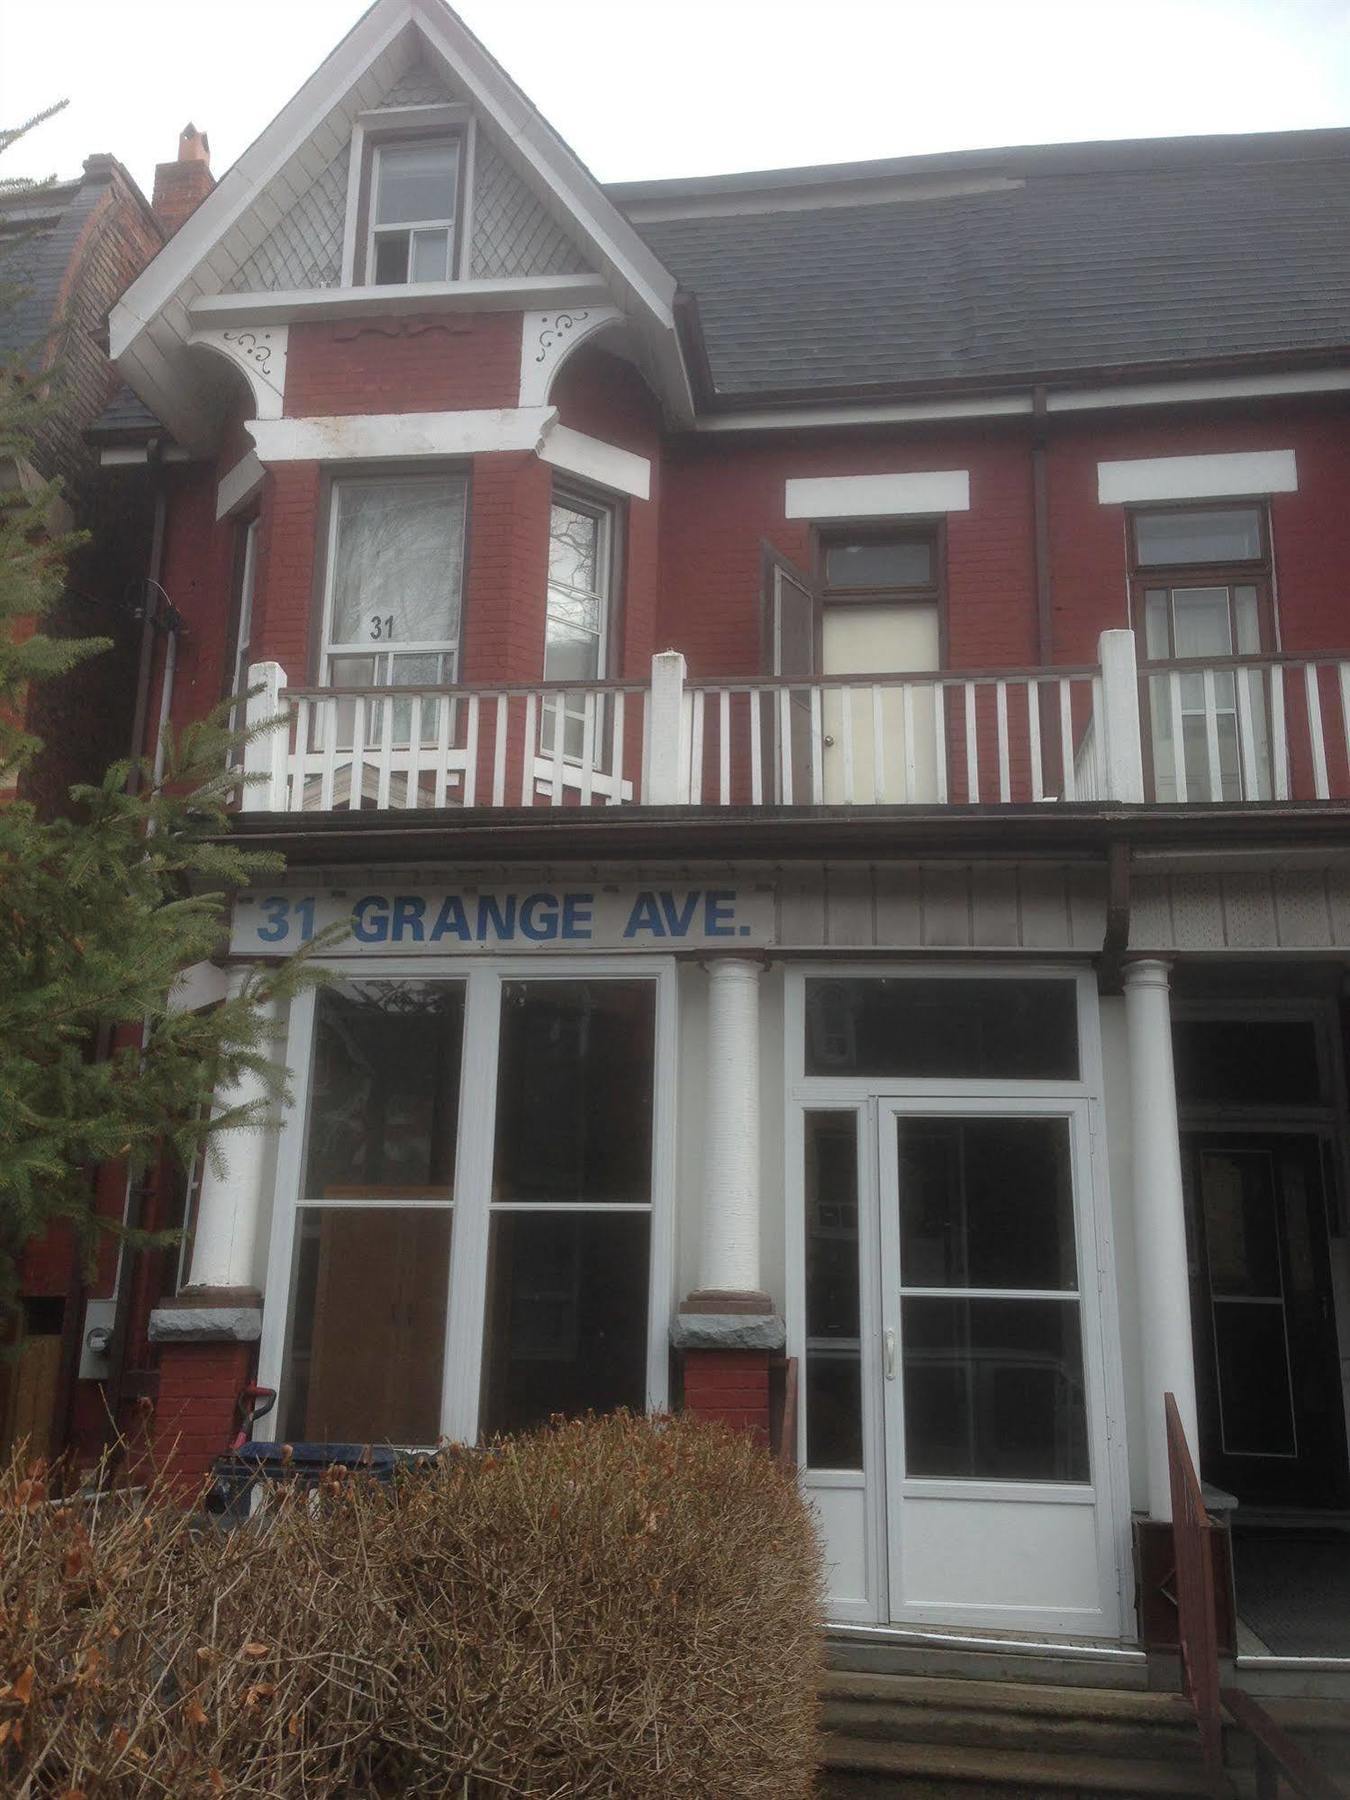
[{"x": 445, "y": 922}]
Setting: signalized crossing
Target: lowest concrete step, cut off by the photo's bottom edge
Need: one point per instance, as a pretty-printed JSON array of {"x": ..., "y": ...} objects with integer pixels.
[{"x": 962, "y": 1770}]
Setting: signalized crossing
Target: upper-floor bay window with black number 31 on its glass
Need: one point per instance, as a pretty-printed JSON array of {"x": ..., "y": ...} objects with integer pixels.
[{"x": 395, "y": 579}]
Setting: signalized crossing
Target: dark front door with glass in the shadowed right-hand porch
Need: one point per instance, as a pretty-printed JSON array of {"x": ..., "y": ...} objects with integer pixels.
[{"x": 1266, "y": 1356}]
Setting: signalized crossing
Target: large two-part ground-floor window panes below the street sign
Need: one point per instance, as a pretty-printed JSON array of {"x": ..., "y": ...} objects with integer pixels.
[{"x": 498, "y": 1149}]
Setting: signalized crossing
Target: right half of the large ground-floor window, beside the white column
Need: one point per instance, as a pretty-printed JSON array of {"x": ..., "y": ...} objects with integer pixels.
[{"x": 571, "y": 1228}]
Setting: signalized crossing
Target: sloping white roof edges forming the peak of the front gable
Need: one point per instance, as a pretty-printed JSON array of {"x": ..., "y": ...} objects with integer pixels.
[{"x": 154, "y": 323}]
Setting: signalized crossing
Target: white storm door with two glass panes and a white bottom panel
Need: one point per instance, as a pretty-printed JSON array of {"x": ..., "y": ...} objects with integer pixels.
[{"x": 991, "y": 1372}]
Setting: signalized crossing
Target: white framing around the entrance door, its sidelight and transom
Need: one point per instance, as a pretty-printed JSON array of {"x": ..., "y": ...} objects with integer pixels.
[{"x": 1104, "y": 1376}]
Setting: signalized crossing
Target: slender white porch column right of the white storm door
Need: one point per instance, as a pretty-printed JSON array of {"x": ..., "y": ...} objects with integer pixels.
[{"x": 1160, "y": 1223}]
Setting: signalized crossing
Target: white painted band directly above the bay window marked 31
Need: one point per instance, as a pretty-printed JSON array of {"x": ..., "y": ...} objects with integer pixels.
[{"x": 379, "y": 436}]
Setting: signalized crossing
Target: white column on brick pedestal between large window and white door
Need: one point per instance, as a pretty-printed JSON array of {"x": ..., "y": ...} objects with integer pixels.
[{"x": 730, "y": 1263}]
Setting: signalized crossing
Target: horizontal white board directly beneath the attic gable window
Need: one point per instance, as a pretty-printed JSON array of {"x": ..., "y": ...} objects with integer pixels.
[{"x": 300, "y": 305}]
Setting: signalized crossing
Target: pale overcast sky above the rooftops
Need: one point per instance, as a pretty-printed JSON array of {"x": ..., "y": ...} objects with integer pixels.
[{"x": 696, "y": 87}]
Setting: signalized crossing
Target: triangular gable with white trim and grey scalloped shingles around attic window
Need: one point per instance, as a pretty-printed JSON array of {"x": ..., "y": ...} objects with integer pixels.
[{"x": 274, "y": 211}]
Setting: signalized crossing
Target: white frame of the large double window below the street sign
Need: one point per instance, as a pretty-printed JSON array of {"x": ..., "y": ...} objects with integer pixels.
[{"x": 474, "y": 1165}]
